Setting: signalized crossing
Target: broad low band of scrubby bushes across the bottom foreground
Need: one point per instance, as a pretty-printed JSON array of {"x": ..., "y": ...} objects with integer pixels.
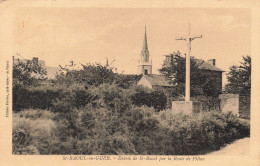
[{"x": 138, "y": 130}]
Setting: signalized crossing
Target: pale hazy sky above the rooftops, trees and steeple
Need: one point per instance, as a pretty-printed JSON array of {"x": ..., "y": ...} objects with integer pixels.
[{"x": 88, "y": 35}]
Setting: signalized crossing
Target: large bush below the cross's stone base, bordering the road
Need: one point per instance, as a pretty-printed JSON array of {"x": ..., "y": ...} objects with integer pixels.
[{"x": 200, "y": 134}]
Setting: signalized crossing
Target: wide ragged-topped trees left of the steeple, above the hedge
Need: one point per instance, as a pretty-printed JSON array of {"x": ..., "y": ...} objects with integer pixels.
[{"x": 94, "y": 74}]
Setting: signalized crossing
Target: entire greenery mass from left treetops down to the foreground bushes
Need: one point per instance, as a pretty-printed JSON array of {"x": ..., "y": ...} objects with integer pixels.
[{"x": 95, "y": 111}]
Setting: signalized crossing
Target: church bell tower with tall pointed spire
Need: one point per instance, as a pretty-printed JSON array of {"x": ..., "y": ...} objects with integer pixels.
[{"x": 144, "y": 64}]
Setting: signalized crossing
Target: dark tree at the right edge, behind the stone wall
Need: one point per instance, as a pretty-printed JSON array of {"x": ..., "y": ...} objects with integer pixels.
[{"x": 239, "y": 77}]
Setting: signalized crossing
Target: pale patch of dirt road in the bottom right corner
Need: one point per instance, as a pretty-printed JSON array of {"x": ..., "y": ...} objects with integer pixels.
[{"x": 239, "y": 147}]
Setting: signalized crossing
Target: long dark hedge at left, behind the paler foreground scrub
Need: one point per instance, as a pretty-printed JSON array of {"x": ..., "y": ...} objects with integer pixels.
[{"x": 56, "y": 98}]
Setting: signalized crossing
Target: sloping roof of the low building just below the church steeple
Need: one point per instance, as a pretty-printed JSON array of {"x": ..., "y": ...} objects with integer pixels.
[{"x": 159, "y": 80}]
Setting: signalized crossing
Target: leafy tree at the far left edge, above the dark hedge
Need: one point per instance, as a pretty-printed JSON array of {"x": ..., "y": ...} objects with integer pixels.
[{"x": 28, "y": 73}]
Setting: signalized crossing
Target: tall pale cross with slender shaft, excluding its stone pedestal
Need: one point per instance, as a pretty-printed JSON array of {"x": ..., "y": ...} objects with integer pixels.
[{"x": 188, "y": 39}]
